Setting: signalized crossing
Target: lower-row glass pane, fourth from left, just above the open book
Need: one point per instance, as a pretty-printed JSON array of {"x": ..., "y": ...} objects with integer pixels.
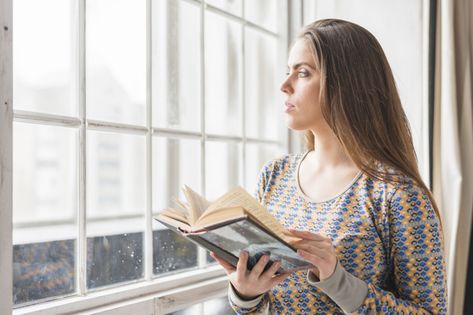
[{"x": 223, "y": 166}]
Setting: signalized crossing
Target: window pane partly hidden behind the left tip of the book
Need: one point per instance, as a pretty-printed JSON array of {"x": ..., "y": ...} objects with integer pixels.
[{"x": 175, "y": 163}]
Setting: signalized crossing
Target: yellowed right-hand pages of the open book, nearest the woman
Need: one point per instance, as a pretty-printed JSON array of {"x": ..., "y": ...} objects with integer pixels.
[{"x": 238, "y": 197}]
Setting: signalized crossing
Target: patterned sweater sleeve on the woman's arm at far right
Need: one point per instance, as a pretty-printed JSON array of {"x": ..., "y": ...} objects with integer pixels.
[{"x": 417, "y": 256}]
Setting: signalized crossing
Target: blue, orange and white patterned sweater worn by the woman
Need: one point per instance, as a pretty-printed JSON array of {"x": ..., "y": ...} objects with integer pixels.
[{"x": 386, "y": 236}]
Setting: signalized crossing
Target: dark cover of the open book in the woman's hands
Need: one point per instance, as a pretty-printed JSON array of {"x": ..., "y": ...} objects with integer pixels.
[{"x": 228, "y": 239}]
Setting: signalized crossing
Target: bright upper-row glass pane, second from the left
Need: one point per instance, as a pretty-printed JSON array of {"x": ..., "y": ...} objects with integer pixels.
[{"x": 116, "y": 60}]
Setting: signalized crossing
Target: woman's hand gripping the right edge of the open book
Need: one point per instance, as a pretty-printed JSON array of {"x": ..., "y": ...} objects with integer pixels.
[{"x": 318, "y": 250}]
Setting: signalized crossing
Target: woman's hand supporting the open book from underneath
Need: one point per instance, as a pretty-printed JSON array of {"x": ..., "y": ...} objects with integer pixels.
[{"x": 249, "y": 284}]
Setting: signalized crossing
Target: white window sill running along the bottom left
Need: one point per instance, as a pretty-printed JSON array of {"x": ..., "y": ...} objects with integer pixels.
[{"x": 158, "y": 296}]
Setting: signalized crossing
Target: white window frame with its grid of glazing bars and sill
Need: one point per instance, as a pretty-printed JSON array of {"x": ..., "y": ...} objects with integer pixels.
[{"x": 159, "y": 296}]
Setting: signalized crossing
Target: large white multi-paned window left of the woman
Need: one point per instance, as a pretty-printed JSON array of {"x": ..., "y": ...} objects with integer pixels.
[{"x": 117, "y": 104}]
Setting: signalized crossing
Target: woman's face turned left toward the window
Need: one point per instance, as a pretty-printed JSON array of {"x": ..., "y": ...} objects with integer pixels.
[{"x": 301, "y": 88}]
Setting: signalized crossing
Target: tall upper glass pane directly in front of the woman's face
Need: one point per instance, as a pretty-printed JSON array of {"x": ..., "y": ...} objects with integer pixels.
[{"x": 262, "y": 107}]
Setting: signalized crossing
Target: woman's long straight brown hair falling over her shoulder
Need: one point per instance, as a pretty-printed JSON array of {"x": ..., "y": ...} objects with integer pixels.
[{"x": 360, "y": 101}]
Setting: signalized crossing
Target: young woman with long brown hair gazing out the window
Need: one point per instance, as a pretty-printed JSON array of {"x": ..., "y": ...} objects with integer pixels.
[{"x": 355, "y": 199}]
